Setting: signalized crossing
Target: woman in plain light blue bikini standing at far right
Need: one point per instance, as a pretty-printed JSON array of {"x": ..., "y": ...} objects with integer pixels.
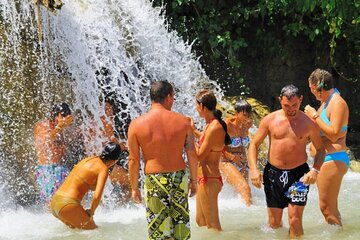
[{"x": 332, "y": 119}]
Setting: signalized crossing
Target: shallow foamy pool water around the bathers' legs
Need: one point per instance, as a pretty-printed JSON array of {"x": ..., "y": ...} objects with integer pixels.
[{"x": 238, "y": 221}]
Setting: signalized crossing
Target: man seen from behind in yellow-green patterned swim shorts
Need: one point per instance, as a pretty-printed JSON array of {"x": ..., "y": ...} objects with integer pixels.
[{"x": 162, "y": 135}]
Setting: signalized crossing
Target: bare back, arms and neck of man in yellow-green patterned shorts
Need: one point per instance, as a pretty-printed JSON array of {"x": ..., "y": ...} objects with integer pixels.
[{"x": 161, "y": 135}]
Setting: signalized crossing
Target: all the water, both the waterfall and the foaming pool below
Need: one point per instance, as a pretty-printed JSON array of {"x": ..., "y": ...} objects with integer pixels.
[{"x": 90, "y": 49}]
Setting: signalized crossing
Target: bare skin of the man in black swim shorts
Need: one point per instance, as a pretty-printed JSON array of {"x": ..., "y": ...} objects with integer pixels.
[{"x": 288, "y": 130}]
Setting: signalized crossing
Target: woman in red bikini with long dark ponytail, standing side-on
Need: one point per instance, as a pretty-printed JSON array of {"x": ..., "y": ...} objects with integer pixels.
[{"x": 209, "y": 149}]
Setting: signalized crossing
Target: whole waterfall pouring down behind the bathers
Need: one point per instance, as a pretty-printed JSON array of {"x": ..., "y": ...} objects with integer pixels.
[{"x": 91, "y": 50}]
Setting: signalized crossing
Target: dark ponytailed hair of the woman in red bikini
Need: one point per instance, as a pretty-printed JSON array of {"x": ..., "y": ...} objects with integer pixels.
[{"x": 208, "y": 100}]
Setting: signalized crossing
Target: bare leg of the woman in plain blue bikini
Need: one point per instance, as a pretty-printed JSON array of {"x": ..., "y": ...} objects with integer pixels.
[{"x": 328, "y": 183}]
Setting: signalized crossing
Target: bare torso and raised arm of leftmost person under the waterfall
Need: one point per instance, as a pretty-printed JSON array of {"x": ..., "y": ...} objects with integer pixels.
[{"x": 47, "y": 133}]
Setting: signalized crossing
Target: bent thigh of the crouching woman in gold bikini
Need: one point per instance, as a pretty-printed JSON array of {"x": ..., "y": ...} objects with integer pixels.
[{"x": 75, "y": 216}]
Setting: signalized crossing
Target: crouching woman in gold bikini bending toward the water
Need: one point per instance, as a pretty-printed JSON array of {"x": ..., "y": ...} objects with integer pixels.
[{"x": 89, "y": 174}]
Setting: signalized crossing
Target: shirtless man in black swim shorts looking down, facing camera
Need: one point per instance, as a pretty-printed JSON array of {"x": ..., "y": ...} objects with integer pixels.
[{"x": 289, "y": 130}]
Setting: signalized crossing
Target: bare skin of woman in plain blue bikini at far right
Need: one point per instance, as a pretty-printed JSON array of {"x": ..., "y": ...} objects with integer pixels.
[{"x": 332, "y": 172}]
